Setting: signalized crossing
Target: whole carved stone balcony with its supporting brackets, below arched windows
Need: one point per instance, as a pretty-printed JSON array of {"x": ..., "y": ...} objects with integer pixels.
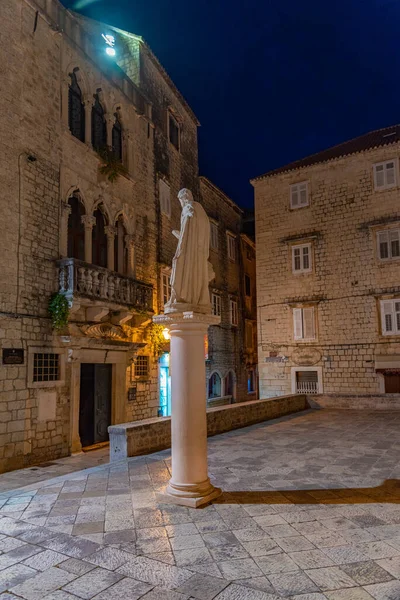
[{"x": 101, "y": 290}]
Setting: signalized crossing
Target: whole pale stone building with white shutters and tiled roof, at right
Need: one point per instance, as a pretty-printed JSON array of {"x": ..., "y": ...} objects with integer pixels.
[{"x": 328, "y": 271}]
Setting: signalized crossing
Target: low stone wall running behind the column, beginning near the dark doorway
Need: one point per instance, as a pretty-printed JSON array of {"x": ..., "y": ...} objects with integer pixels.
[{"x": 152, "y": 435}]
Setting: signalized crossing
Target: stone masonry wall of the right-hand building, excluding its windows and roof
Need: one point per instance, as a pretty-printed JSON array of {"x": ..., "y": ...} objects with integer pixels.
[{"x": 346, "y": 281}]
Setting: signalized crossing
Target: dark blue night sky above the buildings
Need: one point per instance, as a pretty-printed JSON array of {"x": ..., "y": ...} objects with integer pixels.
[{"x": 271, "y": 81}]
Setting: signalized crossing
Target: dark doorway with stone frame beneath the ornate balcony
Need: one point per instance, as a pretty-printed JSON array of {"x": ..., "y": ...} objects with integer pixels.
[{"x": 95, "y": 403}]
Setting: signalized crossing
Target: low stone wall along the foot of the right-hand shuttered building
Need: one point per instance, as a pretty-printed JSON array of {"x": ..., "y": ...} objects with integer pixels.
[{"x": 356, "y": 402}]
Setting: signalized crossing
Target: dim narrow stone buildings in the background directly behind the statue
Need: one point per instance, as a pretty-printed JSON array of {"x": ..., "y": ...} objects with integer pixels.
[{"x": 231, "y": 353}]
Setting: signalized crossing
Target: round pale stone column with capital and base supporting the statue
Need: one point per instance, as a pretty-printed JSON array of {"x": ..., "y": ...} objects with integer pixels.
[{"x": 189, "y": 484}]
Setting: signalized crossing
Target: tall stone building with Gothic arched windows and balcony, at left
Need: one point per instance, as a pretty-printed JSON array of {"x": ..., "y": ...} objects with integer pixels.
[{"x": 73, "y": 88}]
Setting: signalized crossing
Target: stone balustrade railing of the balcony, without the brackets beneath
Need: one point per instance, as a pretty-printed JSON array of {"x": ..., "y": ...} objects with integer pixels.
[{"x": 77, "y": 278}]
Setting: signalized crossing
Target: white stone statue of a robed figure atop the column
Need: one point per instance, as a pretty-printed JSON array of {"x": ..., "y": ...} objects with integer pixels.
[{"x": 191, "y": 269}]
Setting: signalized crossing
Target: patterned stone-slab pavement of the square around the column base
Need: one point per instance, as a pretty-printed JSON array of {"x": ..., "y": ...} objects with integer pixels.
[{"x": 310, "y": 511}]
